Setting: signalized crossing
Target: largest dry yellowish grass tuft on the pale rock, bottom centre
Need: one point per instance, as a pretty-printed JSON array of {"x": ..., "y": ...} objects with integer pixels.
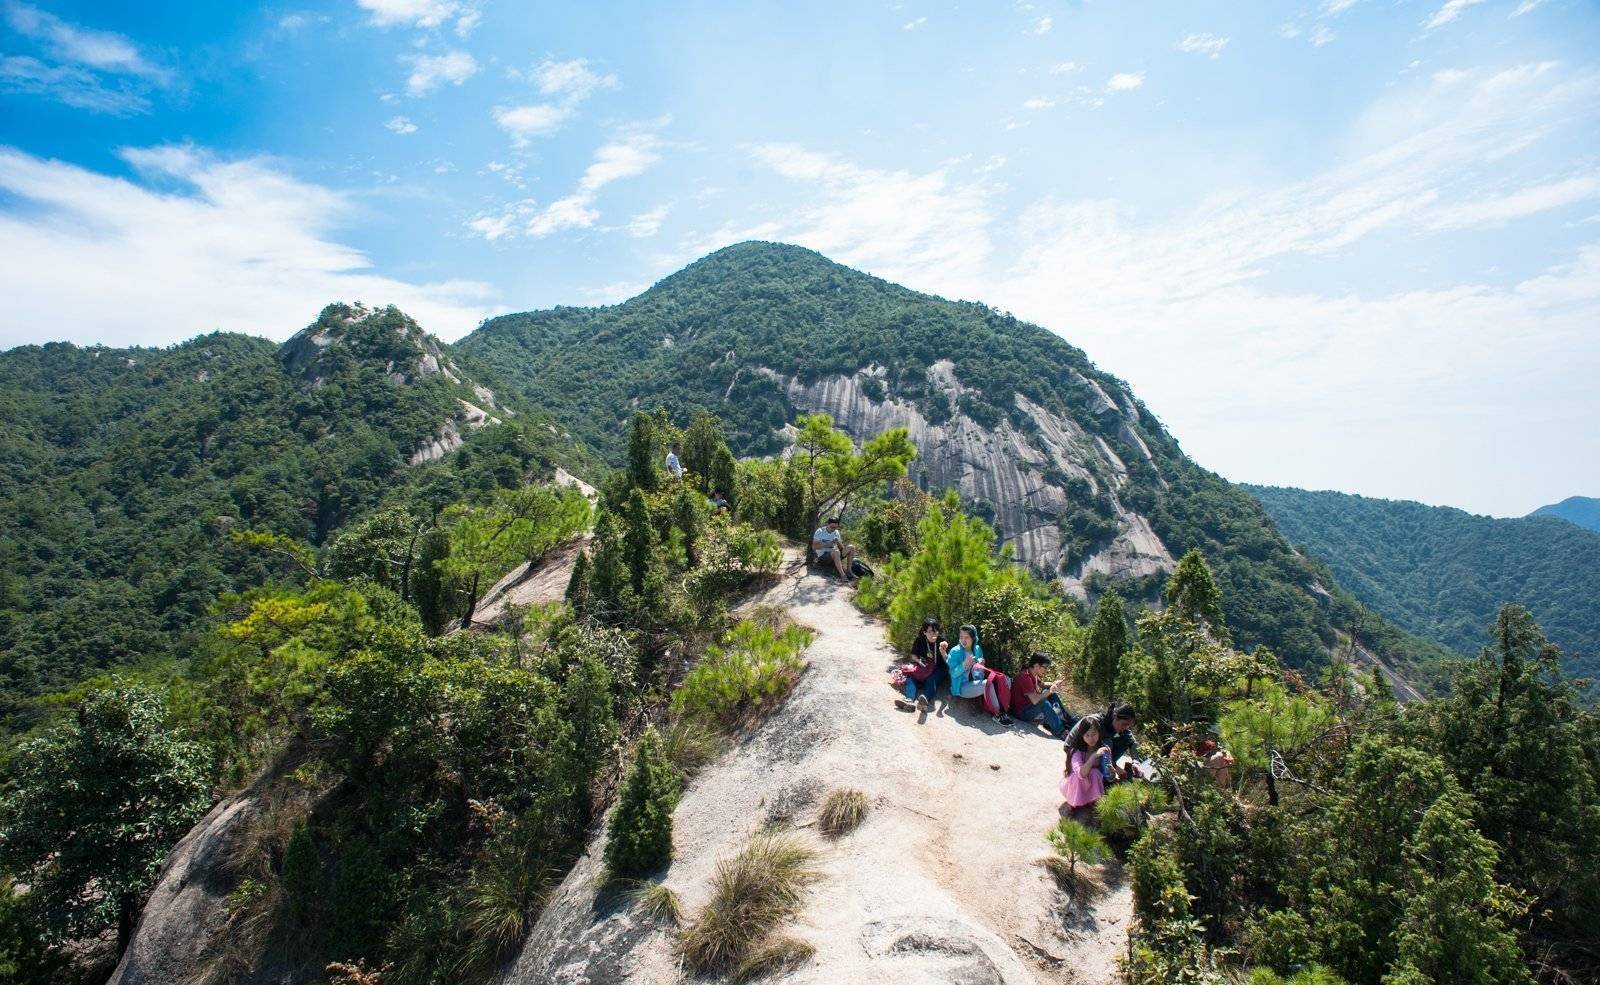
[{"x": 753, "y": 895}]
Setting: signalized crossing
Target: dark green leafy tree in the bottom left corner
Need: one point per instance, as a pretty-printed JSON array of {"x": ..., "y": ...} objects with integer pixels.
[{"x": 94, "y": 807}]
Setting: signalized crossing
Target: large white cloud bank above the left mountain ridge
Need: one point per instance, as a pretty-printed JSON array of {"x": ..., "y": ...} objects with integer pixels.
[{"x": 241, "y": 247}]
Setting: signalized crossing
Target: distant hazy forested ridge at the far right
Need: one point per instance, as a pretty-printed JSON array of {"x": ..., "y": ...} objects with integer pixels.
[{"x": 1444, "y": 573}]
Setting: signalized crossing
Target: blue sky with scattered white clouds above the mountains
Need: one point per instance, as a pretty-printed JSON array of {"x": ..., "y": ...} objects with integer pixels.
[{"x": 1340, "y": 244}]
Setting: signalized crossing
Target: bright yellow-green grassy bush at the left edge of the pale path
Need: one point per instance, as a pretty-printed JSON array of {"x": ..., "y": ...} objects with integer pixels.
[{"x": 751, "y": 672}]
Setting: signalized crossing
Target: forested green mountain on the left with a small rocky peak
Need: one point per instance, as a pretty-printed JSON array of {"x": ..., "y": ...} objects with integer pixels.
[{"x": 124, "y": 469}]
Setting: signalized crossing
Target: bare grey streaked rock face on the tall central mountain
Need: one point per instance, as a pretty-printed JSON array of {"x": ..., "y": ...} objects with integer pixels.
[{"x": 1022, "y": 476}]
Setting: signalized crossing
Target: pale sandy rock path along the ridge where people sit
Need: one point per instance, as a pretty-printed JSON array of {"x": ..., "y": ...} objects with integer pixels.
[{"x": 937, "y": 887}]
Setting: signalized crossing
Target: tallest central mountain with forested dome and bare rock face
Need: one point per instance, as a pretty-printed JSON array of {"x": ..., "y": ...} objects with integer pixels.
[{"x": 1078, "y": 476}]
